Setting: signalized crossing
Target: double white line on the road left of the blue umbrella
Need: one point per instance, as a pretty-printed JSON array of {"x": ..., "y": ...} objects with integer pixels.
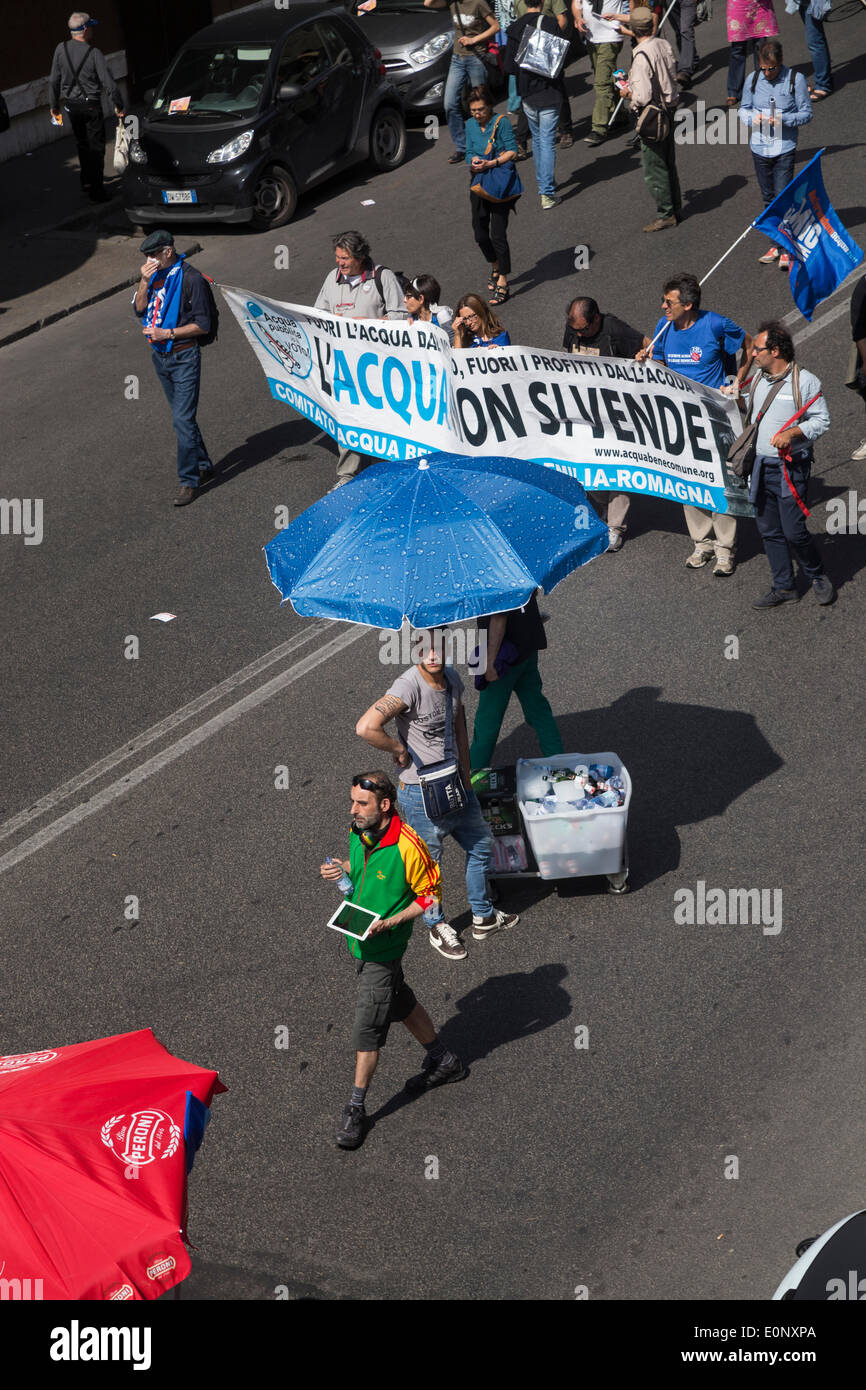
[{"x": 184, "y": 746}]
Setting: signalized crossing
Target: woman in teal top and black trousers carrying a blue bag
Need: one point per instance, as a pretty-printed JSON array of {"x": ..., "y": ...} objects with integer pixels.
[{"x": 490, "y": 142}]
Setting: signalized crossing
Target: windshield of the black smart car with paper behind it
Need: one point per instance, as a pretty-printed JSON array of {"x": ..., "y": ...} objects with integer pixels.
[{"x": 223, "y": 80}]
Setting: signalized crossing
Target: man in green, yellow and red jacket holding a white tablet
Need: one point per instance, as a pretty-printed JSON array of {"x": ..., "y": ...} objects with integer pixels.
[{"x": 394, "y": 875}]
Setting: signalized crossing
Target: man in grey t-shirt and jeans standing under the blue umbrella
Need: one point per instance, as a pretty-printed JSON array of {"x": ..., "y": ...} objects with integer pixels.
[{"x": 416, "y": 703}]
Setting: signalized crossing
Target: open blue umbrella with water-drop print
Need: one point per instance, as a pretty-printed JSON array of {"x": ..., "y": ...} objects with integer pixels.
[{"x": 437, "y": 540}]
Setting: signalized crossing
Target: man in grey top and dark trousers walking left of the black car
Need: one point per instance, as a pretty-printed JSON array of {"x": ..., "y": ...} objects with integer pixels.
[{"x": 79, "y": 77}]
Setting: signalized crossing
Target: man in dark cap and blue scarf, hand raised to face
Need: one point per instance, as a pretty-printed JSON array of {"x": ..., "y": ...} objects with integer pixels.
[{"x": 174, "y": 305}]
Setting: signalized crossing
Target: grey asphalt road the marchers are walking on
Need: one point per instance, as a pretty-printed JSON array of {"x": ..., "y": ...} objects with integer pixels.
[{"x": 558, "y": 1167}]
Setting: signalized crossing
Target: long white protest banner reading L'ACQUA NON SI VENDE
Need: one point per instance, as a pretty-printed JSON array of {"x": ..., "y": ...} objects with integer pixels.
[{"x": 401, "y": 391}]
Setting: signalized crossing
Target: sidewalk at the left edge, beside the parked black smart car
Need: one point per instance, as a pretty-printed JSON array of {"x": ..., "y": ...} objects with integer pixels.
[{"x": 60, "y": 252}]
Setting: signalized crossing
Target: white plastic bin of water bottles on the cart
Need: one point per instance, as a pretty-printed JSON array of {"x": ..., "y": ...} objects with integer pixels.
[{"x": 575, "y": 844}]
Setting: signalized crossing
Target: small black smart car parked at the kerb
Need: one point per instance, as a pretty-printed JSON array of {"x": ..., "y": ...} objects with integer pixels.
[{"x": 256, "y": 109}]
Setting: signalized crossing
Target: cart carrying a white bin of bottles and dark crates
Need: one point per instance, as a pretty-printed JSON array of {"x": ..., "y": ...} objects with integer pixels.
[{"x": 559, "y": 818}]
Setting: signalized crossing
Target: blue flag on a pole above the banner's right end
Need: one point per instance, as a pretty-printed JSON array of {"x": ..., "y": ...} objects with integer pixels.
[{"x": 803, "y": 222}]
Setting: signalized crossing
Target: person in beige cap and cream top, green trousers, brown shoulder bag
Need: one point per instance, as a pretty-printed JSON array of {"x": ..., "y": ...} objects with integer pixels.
[{"x": 654, "y": 79}]
